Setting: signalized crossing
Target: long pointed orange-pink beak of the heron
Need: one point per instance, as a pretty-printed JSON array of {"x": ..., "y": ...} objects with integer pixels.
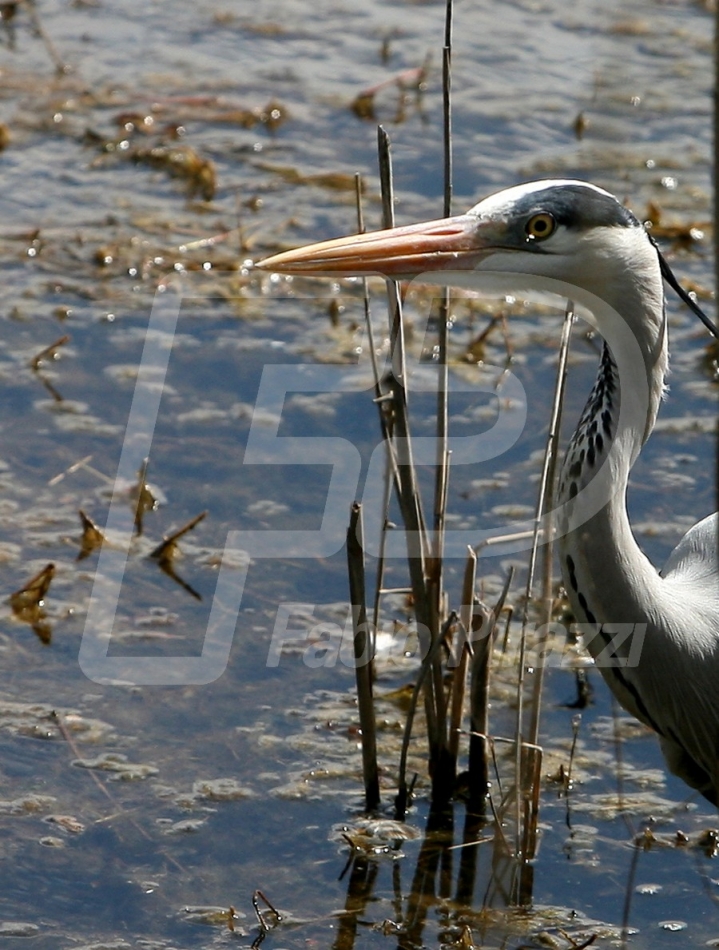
[{"x": 457, "y": 243}]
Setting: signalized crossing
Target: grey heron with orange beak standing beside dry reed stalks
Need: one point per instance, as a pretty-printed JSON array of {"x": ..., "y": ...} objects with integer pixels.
[{"x": 654, "y": 634}]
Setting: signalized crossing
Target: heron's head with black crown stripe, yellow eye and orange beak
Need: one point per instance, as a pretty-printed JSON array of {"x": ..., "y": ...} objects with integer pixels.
[{"x": 536, "y": 235}]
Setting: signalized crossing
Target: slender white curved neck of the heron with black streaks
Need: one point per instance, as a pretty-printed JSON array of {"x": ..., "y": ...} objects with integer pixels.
[{"x": 607, "y": 576}]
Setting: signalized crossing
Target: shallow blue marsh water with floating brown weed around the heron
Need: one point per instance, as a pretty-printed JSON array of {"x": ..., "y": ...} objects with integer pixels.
[{"x": 198, "y": 795}]
